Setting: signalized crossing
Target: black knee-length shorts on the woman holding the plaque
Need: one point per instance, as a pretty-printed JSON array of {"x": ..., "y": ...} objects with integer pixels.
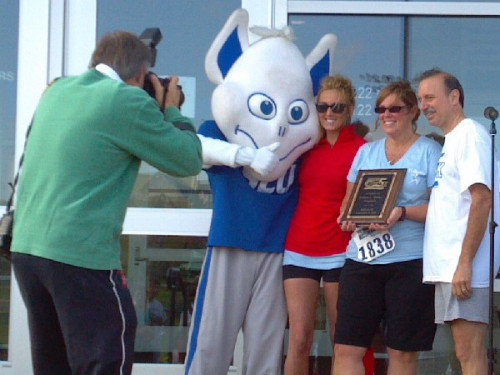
[{"x": 388, "y": 294}]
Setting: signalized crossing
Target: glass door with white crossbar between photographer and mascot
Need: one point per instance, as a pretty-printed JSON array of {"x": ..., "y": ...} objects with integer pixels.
[{"x": 167, "y": 223}]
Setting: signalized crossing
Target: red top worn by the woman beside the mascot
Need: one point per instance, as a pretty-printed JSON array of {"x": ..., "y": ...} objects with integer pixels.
[{"x": 322, "y": 185}]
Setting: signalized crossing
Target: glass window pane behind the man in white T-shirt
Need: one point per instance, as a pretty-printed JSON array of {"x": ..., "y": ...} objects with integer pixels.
[{"x": 463, "y": 48}]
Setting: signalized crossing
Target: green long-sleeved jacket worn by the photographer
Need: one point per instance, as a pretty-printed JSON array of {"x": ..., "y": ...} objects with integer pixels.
[{"x": 88, "y": 137}]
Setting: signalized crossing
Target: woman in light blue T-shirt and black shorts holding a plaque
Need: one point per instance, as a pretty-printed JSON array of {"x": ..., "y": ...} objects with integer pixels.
[{"x": 381, "y": 281}]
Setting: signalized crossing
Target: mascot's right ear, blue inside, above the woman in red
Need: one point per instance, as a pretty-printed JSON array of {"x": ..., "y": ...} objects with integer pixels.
[{"x": 320, "y": 60}]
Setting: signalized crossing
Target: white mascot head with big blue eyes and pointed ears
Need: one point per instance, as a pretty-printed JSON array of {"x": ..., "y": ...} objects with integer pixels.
[{"x": 265, "y": 91}]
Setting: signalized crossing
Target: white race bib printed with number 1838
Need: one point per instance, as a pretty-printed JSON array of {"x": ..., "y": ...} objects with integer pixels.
[{"x": 373, "y": 244}]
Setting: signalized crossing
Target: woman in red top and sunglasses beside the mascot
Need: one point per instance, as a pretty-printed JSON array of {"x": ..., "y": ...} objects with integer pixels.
[{"x": 315, "y": 246}]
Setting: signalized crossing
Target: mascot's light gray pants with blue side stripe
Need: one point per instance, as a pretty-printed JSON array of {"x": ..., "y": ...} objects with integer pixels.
[{"x": 238, "y": 289}]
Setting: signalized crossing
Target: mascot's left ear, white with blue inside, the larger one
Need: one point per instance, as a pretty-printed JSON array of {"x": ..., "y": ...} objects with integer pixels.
[{"x": 227, "y": 47}]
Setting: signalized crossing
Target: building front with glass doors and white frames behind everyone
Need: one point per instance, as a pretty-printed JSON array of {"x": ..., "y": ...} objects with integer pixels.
[{"x": 167, "y": 221}]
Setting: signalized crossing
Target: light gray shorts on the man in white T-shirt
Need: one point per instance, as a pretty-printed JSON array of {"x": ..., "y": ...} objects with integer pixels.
[{"x": 473, "y": 309}]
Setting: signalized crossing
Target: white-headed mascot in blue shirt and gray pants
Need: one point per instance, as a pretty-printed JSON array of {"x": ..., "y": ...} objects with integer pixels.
[{"x": 264, "y": 119}]
